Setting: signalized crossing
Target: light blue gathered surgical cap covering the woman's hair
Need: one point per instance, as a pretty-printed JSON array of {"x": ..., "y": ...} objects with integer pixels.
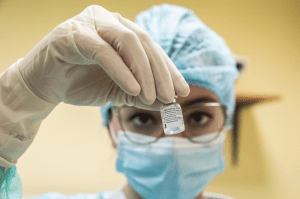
[{"x": 200, "y": 54}]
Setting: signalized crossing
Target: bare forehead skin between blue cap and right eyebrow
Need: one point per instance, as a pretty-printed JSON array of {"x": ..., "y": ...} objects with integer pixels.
[{"x": 197, "y": 92}]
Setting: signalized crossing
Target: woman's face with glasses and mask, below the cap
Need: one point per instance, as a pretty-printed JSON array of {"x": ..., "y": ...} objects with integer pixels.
[{"x": 170, "y": 166}]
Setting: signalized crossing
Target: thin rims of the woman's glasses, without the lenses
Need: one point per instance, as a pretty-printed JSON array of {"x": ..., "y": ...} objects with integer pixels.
[{"x": 117, "y": 109}]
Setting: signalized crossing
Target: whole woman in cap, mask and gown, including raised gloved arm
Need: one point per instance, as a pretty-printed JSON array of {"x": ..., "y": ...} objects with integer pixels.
[{"x": 155, "y": 165}]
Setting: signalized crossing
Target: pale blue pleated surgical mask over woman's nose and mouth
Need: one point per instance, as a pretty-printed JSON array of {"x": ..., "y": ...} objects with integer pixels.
[{"x": 171, "y": 167}]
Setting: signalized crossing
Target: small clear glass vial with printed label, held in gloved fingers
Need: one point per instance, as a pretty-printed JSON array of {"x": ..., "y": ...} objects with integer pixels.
[{"x": 172, "y": 119}]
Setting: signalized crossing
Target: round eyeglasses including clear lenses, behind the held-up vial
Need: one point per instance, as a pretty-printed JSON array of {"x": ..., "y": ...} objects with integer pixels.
[{"x": 199, "y": 119}]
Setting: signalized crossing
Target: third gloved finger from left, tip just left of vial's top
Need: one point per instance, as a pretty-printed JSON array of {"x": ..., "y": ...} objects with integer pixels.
[{"x": 163, "y": 80}]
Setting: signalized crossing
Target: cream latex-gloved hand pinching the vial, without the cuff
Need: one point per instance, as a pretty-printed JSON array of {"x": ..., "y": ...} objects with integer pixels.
[{"x": 98, "y": 57}]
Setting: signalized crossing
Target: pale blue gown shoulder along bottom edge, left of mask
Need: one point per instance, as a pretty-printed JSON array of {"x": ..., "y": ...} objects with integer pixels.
[{"x": 54, "y": 195}]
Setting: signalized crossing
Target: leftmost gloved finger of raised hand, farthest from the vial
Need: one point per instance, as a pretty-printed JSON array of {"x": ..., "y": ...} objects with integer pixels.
[{"x": 95, "y": 48}]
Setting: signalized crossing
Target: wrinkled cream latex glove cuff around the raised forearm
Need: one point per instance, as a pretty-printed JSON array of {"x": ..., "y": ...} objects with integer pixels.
[{"x": 21, "y": 114}]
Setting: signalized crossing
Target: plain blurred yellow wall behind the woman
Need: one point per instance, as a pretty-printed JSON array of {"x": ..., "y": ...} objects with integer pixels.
[{"x": 72, "y": 153}]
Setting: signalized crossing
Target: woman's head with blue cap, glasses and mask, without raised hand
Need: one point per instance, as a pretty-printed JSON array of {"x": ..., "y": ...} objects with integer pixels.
[{"x": 157, "y": 165}]
